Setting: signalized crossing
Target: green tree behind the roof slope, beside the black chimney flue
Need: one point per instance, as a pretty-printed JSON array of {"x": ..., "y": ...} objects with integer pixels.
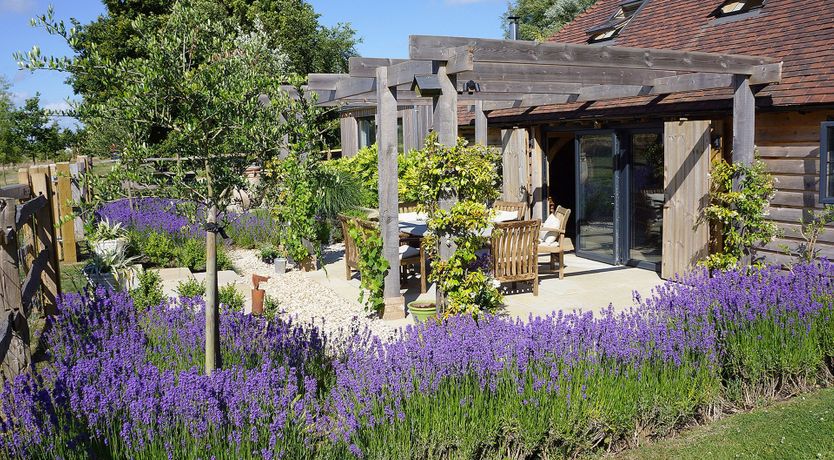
[{"x": 540, "y": 19}]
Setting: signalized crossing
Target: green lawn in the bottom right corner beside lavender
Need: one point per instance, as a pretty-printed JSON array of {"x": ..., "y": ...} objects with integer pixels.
[{"x": 800, "y": 428}]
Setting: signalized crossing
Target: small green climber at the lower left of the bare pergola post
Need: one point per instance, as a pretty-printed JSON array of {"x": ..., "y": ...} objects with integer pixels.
[{"x": 372, "y": 266}]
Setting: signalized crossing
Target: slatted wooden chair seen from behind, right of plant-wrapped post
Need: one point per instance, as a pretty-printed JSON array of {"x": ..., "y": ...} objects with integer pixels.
[{"x": 515, "y": 252}]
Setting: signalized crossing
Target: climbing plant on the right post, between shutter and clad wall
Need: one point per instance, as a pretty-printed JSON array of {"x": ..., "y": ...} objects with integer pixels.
[{"x": 740, "y": 213}]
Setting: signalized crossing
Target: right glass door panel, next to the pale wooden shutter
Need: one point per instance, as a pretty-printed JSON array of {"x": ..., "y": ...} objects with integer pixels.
[{"x": 646, "y": 199}]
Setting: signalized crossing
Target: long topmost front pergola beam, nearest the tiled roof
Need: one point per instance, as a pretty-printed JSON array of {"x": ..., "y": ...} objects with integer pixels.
[{"x": 566, "y": 54}]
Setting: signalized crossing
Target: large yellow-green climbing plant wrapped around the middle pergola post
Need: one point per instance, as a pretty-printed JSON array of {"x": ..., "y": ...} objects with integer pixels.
[{"x": 470, "y": 174}]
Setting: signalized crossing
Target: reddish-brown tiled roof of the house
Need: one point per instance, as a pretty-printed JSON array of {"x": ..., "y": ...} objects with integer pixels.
[{"x": 799, "y": 32}]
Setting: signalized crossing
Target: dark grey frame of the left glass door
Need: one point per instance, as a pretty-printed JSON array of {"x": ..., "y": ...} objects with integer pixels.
[{"x": 618, "y": 177}]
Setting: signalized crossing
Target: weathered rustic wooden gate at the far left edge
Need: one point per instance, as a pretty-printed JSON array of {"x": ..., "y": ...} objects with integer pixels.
[{"x": 28, "y": 246}]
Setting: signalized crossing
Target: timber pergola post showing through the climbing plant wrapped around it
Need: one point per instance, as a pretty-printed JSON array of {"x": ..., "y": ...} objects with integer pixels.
[{"x": 445, "y": 110}]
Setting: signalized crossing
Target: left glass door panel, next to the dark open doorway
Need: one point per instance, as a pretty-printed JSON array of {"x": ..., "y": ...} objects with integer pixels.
[{"x": 596, "y": 196}]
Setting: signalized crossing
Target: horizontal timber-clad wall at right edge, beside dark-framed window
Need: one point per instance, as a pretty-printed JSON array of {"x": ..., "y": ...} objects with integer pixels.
[{"x": 789, "y": 143}]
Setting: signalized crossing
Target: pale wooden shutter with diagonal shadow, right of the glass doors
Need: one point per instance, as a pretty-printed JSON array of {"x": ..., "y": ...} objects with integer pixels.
[{"x": 686, "y": 170}]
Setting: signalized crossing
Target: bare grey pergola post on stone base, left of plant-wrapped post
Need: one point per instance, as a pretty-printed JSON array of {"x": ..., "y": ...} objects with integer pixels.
[{"x": 388, "y": 194}]
